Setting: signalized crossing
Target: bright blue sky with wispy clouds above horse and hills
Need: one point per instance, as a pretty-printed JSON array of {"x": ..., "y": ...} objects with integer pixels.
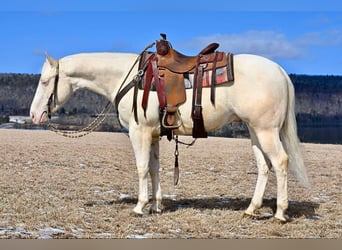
[{"x": 304, "y": 37}]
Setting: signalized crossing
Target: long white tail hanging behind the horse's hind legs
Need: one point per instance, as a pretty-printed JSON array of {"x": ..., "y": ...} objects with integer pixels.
[{"x": 289, "y": 138}]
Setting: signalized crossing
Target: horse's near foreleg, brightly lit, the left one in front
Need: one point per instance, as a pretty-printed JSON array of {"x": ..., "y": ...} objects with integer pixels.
[{"x": 141, "y": 139}]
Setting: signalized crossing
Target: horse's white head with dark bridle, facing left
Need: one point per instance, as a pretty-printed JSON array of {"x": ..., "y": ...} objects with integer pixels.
[{"x": 49, "y": 95}]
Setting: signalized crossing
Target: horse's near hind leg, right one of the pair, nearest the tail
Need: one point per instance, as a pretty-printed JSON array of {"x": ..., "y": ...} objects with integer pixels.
[{"x": 271, "y": 145}]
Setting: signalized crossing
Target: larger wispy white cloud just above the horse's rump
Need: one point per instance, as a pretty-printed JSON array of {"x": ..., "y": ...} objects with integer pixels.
[{"x": 270, "y": 44}]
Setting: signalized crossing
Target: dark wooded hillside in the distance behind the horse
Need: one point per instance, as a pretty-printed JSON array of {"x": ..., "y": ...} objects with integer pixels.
[{"x": 318, "y": 101}]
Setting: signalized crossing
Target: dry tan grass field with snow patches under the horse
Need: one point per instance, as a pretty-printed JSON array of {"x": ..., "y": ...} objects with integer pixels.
[{"x": 55, "y": 187}]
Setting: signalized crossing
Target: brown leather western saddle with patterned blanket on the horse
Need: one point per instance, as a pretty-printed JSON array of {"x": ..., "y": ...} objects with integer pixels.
[{"x": 169, "y": 73}]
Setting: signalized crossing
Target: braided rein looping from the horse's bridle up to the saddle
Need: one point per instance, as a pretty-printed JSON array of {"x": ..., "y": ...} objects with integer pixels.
[{"x": 91, "y": 127}]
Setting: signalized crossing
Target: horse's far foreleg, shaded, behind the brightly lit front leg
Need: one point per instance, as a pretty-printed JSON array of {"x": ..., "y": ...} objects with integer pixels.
[{"x": 154, "y": 172}]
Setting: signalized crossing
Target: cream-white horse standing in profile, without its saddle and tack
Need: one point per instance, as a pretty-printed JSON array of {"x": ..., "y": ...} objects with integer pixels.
[{"x": 262, "y": 96}]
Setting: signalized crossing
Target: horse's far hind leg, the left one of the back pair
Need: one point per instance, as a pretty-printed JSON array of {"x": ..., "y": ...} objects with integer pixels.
[{"x": 263, "y": 169}]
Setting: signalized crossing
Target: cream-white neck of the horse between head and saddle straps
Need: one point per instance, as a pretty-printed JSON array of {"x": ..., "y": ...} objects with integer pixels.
[{"x": 102, "y": 73}]
